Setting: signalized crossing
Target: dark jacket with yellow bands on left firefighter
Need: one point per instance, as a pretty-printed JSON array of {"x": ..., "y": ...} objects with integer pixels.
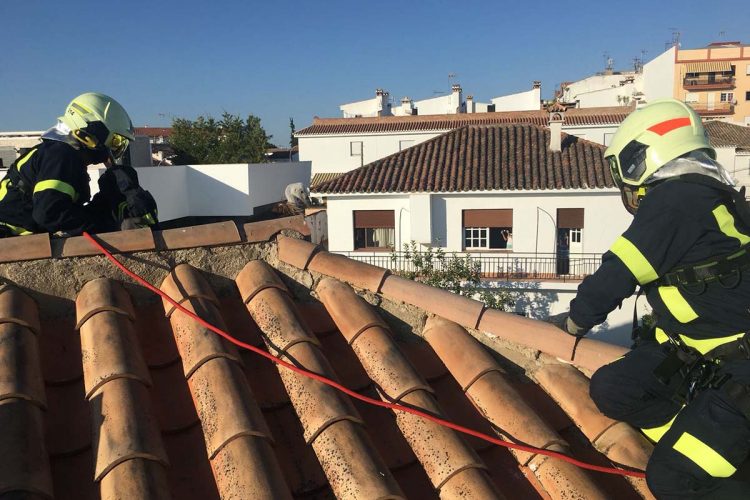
[{"x": 46, "y": 190}]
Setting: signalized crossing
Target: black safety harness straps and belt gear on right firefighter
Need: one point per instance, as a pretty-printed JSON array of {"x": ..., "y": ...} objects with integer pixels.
[{"x": 685, "y": 370}]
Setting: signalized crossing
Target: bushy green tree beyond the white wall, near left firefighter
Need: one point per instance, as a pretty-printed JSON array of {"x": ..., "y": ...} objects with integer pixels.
[{"x": 209, "y": 141}]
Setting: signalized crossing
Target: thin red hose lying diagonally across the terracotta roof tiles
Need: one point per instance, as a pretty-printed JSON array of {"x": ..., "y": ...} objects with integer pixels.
[{"x": 349, "y": 392}]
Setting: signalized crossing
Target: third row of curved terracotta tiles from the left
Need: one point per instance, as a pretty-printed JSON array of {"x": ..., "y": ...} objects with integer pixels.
[{"x": 238, "y": 441}]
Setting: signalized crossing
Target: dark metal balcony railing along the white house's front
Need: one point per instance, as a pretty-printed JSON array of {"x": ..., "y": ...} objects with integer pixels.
[{"x": 495, "y": 266}]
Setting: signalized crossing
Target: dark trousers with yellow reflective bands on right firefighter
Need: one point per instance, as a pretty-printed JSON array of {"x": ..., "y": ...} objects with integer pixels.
[{"x": 699, "y": 445}]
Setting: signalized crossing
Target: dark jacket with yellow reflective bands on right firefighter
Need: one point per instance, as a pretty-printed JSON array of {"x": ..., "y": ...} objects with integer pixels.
[{"x": 677, "y": 223}]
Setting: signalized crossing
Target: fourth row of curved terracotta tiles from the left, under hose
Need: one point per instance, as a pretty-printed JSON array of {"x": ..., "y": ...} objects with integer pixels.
[{"x": 329, "y": 421}]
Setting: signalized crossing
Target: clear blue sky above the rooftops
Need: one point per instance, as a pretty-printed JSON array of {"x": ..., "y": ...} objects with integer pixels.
[{"x": 279, "y": 59}]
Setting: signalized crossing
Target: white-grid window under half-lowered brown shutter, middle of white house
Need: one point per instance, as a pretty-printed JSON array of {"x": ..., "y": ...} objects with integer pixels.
[{"x": 488, "y": 229}]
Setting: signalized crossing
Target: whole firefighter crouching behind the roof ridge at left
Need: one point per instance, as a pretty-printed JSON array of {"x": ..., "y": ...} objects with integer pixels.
[{"x": 47, "y": 188}]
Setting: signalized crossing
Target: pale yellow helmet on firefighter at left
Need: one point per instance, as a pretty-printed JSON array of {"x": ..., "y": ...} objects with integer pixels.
[{"x": 99, "y": 122}]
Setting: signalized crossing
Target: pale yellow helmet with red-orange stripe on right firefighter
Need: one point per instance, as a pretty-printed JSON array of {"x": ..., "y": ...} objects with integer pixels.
[{"x": 648, "y": 139}]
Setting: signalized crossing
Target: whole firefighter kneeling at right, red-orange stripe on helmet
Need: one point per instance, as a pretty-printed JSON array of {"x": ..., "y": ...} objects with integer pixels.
[{"x": 685, "y": 383}]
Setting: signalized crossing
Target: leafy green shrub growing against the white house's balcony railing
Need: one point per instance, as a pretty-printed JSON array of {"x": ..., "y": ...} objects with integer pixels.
[{"x": 460, "y": 275}]
